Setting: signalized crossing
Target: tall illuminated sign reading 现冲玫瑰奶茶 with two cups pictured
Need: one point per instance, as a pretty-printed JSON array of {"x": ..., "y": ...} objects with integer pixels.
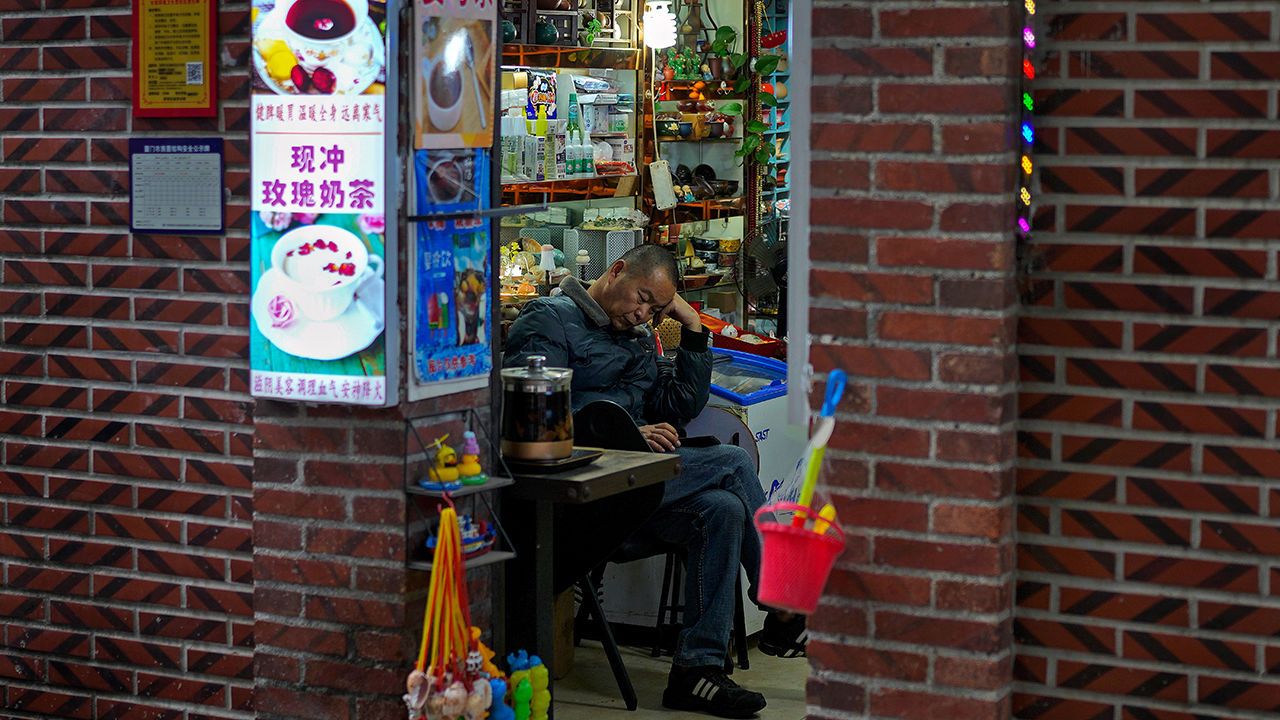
[{"x": 318, "y": 313}]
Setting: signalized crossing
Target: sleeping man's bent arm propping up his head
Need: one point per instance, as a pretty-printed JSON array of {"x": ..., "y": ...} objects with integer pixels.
[{"x": 684, "y": 386}]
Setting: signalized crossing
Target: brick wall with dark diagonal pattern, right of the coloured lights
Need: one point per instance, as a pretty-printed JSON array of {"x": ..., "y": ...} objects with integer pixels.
[{"x": 1148, "y": 440}]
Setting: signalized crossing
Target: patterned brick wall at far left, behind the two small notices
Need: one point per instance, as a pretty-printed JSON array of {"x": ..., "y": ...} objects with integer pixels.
[{"x": 127, "y": 431}]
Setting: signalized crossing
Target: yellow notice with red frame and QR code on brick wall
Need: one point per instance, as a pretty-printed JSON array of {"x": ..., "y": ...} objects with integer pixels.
[{"x": 175, "y": 75}]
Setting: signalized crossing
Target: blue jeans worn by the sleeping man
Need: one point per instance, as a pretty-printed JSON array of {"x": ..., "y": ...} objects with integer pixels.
[{"x": 708, "y": 511}]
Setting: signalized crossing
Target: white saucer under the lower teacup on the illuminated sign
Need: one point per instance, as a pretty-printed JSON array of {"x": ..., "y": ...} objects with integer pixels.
[{"x": 330, "y": 340}]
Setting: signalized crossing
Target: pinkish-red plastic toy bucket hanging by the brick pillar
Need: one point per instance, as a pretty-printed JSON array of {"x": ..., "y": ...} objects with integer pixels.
[{"x": 797, "y": 562}]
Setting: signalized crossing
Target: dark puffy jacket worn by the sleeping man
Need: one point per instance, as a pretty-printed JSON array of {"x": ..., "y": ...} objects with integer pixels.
[{"x": 573, "y": 331}]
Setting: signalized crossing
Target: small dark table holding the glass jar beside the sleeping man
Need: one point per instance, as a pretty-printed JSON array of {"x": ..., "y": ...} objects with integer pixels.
[{"x": 612, "y": 475}]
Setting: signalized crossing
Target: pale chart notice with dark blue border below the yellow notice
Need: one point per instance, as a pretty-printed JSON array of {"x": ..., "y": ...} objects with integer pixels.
[{"x": 176, "y": 185}]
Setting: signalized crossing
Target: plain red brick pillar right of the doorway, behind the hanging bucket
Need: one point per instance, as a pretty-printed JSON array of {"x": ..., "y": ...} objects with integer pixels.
[{"x": 912, "y": 282}]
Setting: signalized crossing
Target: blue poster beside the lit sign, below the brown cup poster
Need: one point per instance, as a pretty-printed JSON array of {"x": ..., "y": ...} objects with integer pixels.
[{"x": 452, "y": 321}]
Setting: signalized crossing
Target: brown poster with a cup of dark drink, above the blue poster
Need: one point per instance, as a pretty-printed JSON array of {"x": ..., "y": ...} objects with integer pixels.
[{"x": 455, "y": 57}]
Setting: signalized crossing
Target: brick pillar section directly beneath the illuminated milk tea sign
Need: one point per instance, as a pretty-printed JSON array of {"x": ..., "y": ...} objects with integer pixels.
[{"x": 330, "y": 580}]
